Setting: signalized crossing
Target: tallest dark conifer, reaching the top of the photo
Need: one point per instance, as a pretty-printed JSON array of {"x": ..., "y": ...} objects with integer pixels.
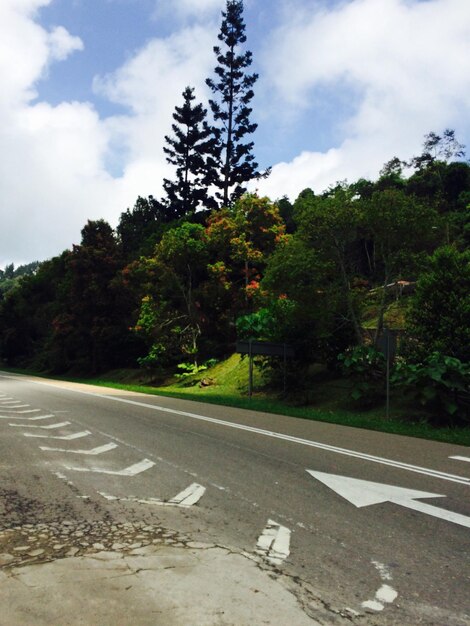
[{"x": 233, "y": 90}]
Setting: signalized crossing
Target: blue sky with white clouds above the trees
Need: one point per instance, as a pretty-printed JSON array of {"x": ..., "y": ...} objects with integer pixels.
[{"x": 88, "y": 88}]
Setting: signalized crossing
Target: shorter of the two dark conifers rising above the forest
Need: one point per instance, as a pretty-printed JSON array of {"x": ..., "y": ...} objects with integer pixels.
[{"x": 192, "y": 150}]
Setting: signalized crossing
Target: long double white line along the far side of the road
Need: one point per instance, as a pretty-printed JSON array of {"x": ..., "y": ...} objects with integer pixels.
[{"x": 268, "y": 433}]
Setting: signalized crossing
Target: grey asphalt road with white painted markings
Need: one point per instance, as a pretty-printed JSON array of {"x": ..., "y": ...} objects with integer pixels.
[{"x": 256, "y": 483}]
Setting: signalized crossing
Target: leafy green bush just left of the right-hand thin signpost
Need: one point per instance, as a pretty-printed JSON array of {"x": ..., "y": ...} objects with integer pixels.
[{"x": 366, "y": 367}]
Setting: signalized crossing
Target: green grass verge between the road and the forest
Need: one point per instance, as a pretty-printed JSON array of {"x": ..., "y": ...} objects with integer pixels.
[{"x": 327, "y": 401}]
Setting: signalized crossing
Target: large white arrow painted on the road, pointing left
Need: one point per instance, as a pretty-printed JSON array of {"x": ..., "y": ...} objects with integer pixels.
[{"x": 365, "y": 493}]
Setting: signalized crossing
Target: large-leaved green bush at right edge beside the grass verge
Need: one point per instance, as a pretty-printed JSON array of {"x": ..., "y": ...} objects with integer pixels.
[{"x": 440, "y": 383}]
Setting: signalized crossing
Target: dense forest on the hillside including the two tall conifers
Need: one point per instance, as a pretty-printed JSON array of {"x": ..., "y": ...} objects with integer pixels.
[{"x": 183, "y": 277}]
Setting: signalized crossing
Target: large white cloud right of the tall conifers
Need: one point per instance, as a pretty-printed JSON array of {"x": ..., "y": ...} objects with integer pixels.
[{"x": 409, "y": 61}]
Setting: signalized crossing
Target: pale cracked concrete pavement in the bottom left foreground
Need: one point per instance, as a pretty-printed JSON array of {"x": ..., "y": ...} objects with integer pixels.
[{"x": 135, "y": 575}]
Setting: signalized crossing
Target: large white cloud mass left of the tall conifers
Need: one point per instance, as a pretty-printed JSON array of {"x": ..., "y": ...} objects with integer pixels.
[{"x": 53, "y": 165}]
